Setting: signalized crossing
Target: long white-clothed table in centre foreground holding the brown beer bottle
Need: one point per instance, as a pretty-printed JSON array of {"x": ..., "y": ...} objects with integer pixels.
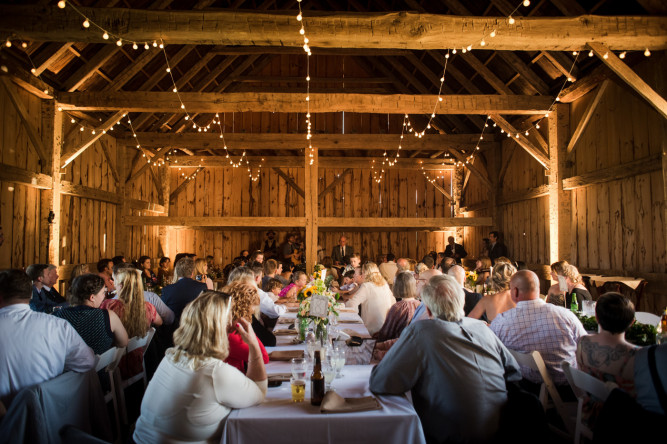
[{"x": 278, "y": 420}]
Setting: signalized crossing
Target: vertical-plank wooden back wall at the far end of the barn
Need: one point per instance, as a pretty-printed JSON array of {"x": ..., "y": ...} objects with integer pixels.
[{"x": 215, "y": 192}]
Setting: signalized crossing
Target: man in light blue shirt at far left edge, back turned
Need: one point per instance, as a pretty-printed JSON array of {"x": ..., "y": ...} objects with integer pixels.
[{"x": 34, "y": 347}]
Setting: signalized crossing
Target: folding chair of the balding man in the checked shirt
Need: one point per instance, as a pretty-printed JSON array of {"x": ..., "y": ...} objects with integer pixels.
[{"x": 549, "y": 396}]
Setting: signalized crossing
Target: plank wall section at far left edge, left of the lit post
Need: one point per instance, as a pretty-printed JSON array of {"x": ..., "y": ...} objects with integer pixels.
[{"x": 21, "y": 217}]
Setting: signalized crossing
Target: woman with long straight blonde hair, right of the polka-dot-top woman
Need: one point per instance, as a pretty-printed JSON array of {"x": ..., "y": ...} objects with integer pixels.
[{"x": 136, "y": 314}]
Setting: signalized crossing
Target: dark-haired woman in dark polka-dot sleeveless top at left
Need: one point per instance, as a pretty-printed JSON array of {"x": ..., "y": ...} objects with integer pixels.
[{"x": 100, "y": 329}]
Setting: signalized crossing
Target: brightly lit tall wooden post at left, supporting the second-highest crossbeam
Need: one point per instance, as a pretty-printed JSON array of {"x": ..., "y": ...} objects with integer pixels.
[{"x": 52, "y": 126}]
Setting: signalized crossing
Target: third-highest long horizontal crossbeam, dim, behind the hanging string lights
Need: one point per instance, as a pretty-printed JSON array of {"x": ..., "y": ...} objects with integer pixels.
[{"x": 283, "y": 141}]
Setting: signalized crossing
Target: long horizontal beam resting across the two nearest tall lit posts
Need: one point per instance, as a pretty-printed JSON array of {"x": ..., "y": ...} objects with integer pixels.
[{"x": 139, "y": 101}]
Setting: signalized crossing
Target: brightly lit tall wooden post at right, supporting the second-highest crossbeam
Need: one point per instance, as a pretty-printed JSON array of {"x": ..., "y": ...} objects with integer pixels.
[{"x": 560, "y": 201}]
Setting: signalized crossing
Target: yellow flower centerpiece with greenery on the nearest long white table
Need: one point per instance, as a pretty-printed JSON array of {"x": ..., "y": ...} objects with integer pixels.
[{"x": 316, "y": 291}]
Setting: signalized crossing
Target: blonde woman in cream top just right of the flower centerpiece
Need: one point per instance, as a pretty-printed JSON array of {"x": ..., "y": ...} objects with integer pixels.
[{"x": 374, "y": 297}]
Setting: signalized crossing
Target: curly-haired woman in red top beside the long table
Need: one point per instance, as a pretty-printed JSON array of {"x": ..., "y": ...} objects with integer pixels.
[{"x": 245, "y": 300}]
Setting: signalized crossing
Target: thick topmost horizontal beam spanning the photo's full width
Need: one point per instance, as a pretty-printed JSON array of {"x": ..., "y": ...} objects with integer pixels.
[{"x": 396, "y": 30}]
